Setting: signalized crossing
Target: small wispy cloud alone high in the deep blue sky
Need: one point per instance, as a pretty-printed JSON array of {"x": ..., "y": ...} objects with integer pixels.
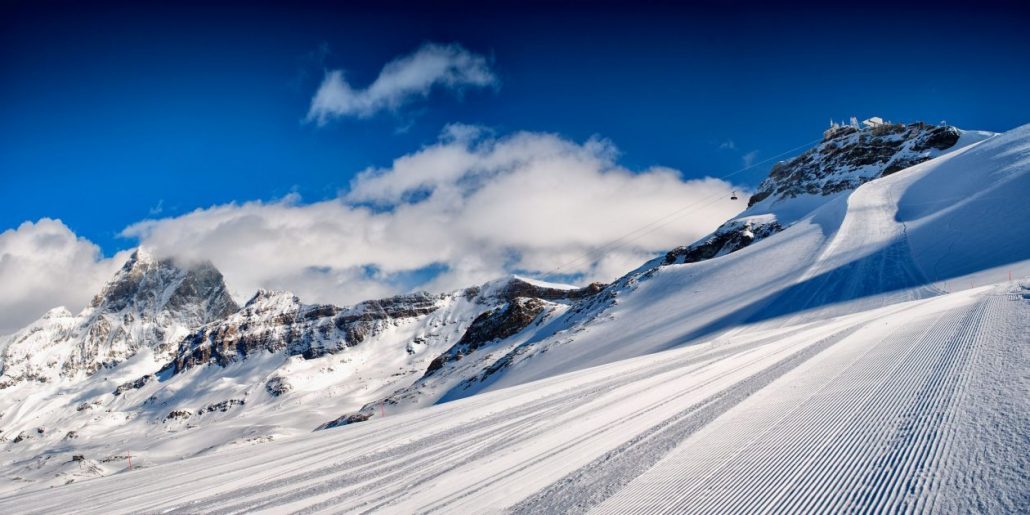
[{"x": 401, "y": 81}]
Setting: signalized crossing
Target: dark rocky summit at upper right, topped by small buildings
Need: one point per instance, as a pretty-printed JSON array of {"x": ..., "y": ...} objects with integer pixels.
[{"x": 851, "y": 158}]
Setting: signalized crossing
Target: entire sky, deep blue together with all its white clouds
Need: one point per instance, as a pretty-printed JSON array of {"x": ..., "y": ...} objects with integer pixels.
[{"x": 354, "y": 153}]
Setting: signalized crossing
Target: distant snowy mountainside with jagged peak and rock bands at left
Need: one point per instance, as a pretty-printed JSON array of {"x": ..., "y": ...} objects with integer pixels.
[{"x": 272, "y": 369}]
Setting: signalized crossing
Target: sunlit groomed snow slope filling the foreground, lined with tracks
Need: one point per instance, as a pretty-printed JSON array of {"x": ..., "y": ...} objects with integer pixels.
[{"x": 912, "y": 407}]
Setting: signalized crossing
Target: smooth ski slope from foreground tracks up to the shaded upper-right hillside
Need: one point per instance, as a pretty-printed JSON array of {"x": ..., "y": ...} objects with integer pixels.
[{"x": 872, "y": 358}]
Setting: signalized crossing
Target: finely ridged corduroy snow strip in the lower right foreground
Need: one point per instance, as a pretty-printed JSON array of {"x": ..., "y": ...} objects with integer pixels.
[{"x": 865, "y": 430}]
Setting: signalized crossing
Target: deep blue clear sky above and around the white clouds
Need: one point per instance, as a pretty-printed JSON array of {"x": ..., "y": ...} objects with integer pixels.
[{"x": 110, "y": 111}]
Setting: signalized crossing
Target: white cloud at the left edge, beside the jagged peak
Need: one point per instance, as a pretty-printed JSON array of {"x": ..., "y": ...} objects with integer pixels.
[{"x": 45, "y": 265}]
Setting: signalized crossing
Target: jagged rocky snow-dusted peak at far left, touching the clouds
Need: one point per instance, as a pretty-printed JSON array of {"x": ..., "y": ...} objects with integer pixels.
[{"x": 149, "y": 303}]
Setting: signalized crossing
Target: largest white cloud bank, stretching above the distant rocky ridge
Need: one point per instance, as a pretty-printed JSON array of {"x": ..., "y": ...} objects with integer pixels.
[{"x": 474, "y": 205}]
